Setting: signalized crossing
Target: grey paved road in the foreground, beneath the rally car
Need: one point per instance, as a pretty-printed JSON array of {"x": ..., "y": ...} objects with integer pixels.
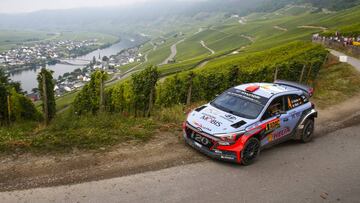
[{"x": 325, "y": 170}]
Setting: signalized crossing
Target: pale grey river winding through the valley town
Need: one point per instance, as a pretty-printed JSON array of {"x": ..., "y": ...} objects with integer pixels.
[{"x": 27, "y": 78}]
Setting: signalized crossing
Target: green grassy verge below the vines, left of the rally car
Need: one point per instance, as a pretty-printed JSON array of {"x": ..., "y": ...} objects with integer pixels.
[{"x": 68, "y": 131}]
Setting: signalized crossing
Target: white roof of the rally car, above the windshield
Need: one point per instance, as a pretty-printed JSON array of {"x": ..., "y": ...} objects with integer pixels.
[{"x": 267, "y": 89}]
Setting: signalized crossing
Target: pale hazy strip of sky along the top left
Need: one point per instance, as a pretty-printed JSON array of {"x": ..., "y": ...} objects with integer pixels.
[{"x": 20, "y": 6}]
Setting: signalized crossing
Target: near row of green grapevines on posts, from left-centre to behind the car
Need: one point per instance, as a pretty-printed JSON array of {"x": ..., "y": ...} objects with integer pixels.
[{"x": 138, "y": 95}]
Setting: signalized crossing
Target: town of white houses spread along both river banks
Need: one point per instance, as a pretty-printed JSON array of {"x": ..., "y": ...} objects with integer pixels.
[{"x": 41, "y": 54}]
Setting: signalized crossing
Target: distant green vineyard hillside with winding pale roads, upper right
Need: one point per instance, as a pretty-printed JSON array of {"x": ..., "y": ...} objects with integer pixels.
[{"x": 255, "y": 32}]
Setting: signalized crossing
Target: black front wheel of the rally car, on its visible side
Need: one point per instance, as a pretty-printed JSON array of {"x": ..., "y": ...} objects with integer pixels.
[{"x": 250, "y": 152}]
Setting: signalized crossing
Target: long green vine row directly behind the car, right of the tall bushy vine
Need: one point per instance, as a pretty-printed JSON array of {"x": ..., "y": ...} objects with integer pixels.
[{"x": 260, "y": 67}]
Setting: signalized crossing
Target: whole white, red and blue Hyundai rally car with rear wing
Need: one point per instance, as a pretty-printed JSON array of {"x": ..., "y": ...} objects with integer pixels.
[{"x": 245, "y": 119}]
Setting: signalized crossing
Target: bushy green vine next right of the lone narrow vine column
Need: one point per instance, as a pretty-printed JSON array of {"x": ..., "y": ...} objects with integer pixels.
[{"x": 88, "y": 99}]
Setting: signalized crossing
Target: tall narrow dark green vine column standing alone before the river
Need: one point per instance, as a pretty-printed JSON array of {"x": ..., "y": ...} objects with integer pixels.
[{"x": 46, "y": 87}]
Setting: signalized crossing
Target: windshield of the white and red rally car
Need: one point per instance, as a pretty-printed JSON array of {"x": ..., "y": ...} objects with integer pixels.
[{"x": 238, "y": 106}]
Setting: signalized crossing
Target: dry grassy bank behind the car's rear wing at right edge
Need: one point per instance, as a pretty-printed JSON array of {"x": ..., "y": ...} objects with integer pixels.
[{"x": 336, "y": 83}]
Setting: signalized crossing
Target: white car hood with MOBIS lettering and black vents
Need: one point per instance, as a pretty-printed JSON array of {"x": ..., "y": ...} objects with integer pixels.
[{"x": 214, "y": 121}]
